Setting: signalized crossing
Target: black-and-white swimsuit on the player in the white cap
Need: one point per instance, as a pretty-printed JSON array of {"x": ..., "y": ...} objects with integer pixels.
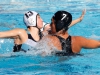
[{"x": 29, "y": 44}]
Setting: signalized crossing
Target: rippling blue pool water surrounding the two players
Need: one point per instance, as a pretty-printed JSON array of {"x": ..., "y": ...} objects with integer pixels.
[{"x": 11, "y": 16}]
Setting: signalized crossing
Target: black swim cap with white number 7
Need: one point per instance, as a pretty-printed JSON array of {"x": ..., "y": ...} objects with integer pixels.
[{"x": 62, "y": 20}]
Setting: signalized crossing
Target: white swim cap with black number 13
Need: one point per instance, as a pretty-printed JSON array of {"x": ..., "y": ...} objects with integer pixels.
[{"x": 30, "y": 18}]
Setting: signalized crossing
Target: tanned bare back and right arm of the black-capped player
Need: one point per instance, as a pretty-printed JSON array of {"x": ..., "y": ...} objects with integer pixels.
[{"x": 77, "y": 43}]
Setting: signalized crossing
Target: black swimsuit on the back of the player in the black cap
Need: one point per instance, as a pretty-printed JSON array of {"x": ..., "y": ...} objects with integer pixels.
[{"x": 66, "y": 46}]
